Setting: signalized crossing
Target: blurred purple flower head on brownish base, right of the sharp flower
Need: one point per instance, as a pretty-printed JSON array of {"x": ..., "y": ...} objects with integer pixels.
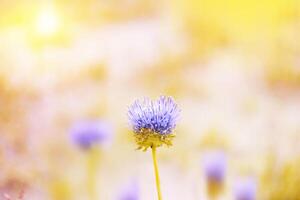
[{"x": 215, "y": 166}]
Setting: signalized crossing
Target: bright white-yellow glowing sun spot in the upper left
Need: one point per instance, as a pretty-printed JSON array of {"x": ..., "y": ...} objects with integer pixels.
[{"x": 47, "y": 23}]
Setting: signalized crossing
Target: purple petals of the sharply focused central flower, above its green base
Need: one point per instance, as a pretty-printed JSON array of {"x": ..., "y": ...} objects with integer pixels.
[{"x": 159, "y": 116}]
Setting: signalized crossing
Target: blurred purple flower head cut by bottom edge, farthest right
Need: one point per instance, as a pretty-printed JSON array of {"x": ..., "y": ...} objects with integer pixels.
[{"x": 245, "y": 189}]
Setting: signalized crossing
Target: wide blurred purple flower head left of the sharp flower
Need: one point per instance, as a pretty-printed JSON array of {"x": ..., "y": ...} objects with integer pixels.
[{"x": 87, "y": 134}]
